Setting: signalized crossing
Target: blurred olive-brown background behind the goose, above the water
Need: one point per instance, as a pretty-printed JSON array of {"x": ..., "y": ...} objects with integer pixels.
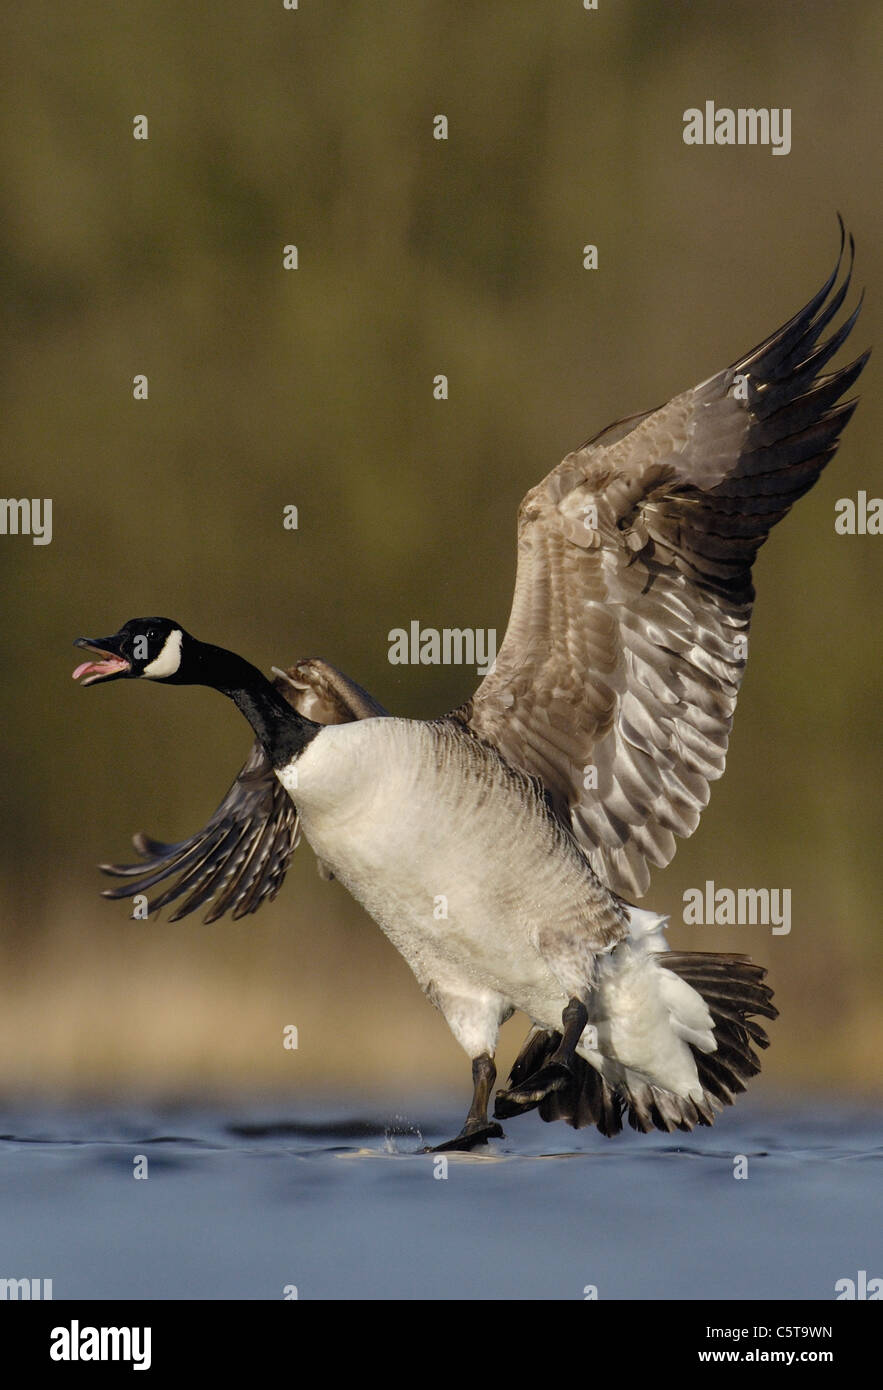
[{"x": 270, "y": 389}]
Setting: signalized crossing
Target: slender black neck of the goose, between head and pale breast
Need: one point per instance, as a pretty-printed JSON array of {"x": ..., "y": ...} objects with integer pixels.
[{"x": 282, "y": 730}]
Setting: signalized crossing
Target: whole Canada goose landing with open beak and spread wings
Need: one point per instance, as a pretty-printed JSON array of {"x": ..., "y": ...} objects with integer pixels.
[{"x": 535, "y": 811}]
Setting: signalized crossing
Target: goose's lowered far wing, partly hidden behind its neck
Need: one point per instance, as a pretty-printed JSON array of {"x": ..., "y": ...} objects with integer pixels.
[{"x": 241, "y": 857}]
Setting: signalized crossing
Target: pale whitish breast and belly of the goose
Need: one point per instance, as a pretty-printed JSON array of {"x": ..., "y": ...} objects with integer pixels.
[{"x": 441, "y": 846}]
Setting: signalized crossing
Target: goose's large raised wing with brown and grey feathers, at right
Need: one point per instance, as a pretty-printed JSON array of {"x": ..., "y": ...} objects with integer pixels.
[{"x": 618, "y": 678}]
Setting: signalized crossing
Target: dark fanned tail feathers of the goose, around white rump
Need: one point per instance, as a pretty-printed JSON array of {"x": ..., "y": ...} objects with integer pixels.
[{"x": 735, "y": 993}]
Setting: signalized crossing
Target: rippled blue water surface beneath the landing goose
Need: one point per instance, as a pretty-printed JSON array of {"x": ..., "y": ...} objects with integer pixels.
[{"x": 334, "y": 1199}]
